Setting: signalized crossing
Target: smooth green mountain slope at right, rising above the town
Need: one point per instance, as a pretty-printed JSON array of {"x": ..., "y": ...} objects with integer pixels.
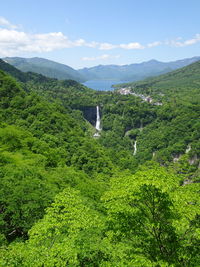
[{"x": 181, "y": 82}]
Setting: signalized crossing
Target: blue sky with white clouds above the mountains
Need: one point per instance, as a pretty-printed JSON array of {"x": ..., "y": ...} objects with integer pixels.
[{"x": 85, "y": 33}]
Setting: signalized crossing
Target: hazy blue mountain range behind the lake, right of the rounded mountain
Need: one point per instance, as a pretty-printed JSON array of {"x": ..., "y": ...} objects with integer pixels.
[{"x": 133, "y": 72}]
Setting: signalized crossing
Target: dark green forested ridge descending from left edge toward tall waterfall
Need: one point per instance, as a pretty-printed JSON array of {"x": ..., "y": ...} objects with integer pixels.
[{"x": 65, "y": 90}]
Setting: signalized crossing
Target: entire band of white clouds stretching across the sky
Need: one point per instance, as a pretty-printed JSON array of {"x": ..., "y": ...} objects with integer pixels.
[{"x": 14, "y": 41}]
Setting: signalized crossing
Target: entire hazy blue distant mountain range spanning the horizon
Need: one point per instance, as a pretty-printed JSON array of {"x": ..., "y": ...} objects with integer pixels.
[{"x": 132, "y": 72}]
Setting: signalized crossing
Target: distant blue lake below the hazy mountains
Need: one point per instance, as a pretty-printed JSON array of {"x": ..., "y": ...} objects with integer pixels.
[{"x": 102, "y": 85}]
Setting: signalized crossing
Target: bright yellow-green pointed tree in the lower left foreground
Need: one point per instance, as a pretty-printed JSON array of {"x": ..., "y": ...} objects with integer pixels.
[{"x": 68, "y": 235}]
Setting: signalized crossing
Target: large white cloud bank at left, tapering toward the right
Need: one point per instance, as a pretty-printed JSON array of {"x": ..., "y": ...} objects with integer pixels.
[{"x": 14, "y": 42}]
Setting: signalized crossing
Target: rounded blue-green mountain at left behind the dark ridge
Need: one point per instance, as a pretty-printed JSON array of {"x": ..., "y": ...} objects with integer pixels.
[{"x": 45, "y": 67}]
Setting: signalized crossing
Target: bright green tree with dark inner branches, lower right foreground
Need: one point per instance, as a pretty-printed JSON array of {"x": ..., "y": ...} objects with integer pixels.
[{"x": 150, "y": 220}]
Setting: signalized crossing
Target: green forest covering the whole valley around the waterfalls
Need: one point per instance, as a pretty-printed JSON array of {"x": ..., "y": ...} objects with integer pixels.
[{"x": 128, "y": 198}]
